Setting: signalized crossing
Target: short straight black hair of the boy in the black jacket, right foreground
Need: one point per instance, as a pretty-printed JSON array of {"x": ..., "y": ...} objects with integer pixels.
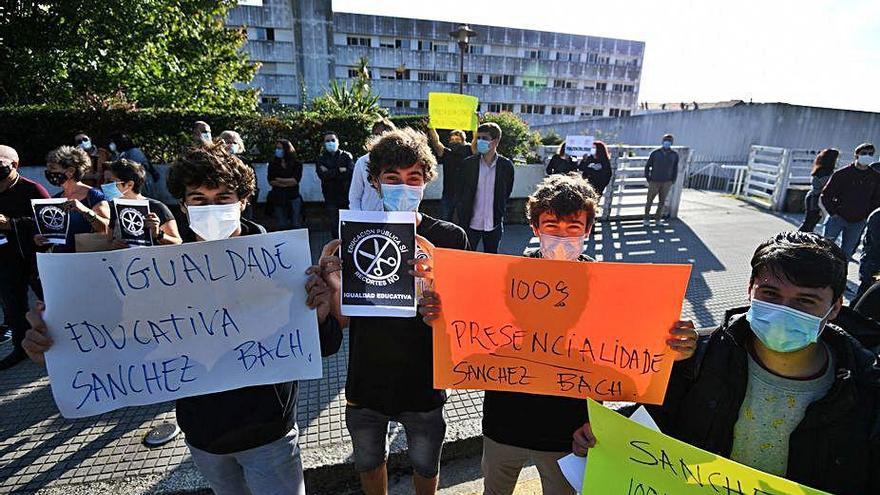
[{"x": 804, "y": 259}]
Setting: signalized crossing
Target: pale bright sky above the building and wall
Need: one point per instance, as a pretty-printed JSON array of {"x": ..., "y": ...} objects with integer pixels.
[{"x": 810, "y": 52}]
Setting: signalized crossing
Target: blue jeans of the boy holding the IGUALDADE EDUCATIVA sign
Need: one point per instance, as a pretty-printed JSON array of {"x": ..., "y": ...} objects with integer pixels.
[{"x": 274, "y": 468}]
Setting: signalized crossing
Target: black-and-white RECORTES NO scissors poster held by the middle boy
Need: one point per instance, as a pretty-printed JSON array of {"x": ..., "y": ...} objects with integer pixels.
[{"x": 376, "y": 250}]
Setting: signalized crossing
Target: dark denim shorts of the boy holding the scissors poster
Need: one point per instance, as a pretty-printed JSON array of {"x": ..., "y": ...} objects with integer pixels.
[{"x": 425, "y": 432}]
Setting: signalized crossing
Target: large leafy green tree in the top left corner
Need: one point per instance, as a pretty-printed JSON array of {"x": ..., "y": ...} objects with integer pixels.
[{"x": 158, "y": 53}]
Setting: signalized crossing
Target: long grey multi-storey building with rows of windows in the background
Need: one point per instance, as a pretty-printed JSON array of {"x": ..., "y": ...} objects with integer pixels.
[{"x": 545, "y": 77}]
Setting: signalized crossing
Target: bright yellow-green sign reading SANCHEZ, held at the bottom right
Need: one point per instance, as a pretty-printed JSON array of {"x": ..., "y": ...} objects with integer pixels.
[{"x": 631, "y": 459}]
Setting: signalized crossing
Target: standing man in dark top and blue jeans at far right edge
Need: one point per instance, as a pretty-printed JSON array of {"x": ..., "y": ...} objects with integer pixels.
[{"x": 851, "y": 194}]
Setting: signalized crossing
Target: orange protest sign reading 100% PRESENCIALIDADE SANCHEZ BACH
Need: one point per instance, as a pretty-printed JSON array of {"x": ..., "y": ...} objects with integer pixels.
[{"x": 547, "y": 327}]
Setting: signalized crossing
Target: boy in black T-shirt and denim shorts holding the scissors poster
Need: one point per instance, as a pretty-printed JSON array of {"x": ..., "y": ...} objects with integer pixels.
[{"x": 390, "y": 375}]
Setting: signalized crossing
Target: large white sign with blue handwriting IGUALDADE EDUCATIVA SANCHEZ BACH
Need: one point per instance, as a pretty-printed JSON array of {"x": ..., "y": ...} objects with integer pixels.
[{"x": 160, "y": 323}]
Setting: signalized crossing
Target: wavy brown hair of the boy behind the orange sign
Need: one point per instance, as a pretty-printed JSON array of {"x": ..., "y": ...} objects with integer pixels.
[{"x": 564, "y": 195}]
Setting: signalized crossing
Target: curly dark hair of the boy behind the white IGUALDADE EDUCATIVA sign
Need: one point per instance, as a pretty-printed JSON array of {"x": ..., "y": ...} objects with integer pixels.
[{"x": 213, "y": 166}]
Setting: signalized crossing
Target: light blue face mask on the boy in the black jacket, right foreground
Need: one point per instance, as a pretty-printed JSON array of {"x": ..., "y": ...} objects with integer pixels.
[{"x": 784, "y": 329}]
